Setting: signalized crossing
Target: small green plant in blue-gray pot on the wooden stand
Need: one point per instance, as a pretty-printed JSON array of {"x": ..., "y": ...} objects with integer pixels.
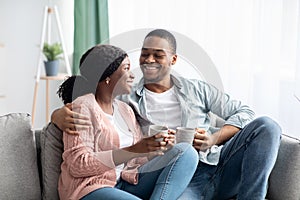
[{"x": 52, "y": 53}]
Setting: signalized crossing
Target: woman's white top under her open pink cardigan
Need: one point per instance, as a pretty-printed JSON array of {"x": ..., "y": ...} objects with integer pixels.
[{"x": 125, "y": 136}]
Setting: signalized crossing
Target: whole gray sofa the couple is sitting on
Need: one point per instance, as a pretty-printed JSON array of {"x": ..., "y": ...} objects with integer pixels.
[{"x": 30, "y": 162}]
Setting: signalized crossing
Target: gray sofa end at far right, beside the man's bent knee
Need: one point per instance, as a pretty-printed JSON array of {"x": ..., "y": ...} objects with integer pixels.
[{"x": 284, "y": 181}]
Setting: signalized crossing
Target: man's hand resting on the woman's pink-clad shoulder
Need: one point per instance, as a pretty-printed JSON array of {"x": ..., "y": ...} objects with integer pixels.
[{"x": 69, "y": 121}]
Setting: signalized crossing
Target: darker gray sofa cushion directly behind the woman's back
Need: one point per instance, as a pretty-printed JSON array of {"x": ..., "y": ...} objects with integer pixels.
[{"x": 51, "y": 158}]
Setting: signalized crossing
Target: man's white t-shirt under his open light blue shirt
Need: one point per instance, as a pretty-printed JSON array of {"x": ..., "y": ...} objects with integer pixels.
[{"x": 166, "y": 102}]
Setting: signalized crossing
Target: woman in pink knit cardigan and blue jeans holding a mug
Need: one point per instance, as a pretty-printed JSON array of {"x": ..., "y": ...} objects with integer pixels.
[{"x": 109, "y": 160}]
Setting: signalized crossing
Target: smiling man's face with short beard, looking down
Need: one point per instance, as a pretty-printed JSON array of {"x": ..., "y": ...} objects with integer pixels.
[{"x": 156, "y": 59}]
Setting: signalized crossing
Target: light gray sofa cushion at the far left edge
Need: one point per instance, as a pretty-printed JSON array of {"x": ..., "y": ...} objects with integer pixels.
[{"x": 18, "y": 169}]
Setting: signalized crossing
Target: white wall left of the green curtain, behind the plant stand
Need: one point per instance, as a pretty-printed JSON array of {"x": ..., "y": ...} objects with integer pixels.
[{"x": 20, "y": 35}]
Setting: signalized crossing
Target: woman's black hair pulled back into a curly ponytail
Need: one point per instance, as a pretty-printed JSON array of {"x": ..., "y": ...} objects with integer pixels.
[{"x": 96, "y": 64}]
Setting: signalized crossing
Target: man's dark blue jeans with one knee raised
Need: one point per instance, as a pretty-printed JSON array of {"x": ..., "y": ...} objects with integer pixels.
[{"x": 245, "y": 164}]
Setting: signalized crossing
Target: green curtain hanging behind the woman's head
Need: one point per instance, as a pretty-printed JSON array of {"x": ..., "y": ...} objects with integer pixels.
[{"x": 90, "y": 27}]
